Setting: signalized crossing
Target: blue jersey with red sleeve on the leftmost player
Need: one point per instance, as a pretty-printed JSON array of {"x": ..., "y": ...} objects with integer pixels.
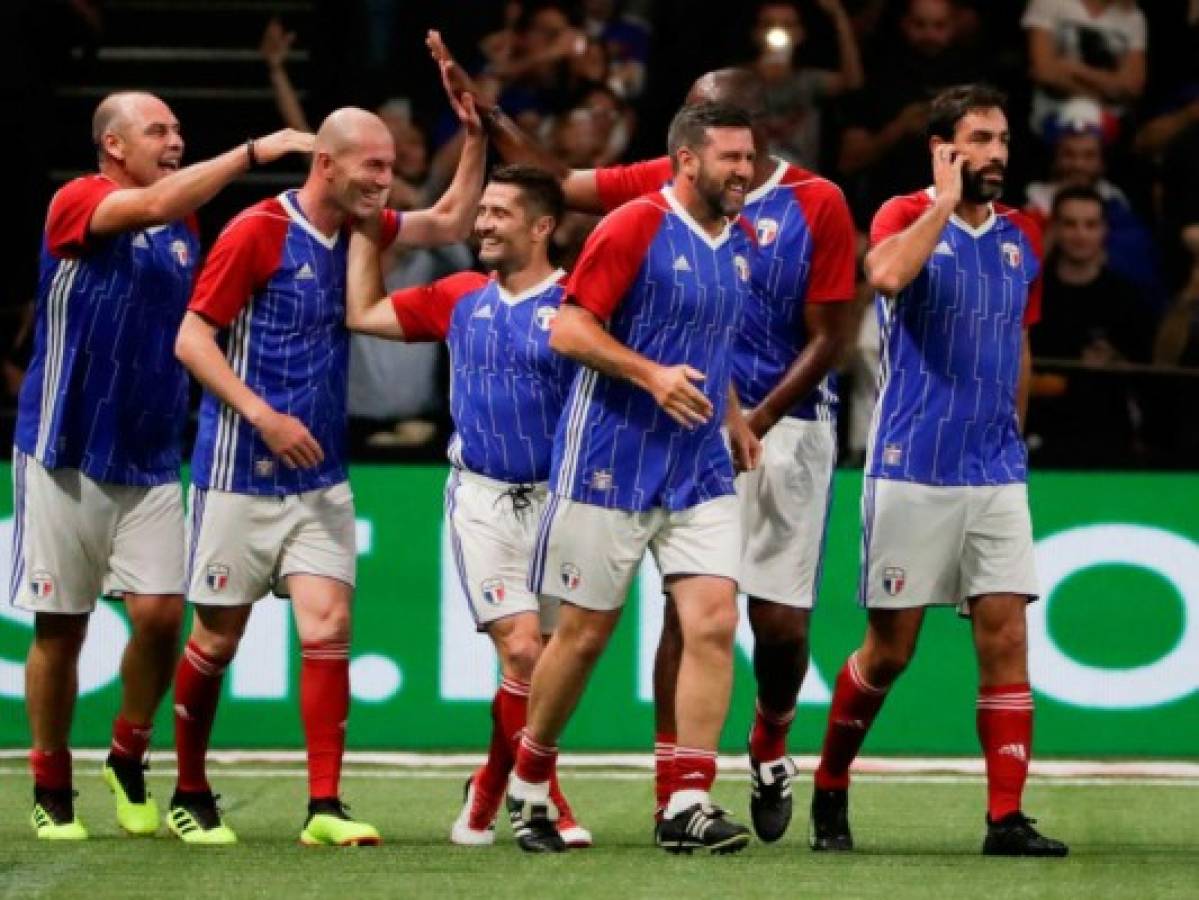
[{"x": 105, "y": 392}]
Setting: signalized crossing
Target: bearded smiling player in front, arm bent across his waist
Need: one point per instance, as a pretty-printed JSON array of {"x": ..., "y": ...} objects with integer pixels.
[{"x": 640, "y": 463}]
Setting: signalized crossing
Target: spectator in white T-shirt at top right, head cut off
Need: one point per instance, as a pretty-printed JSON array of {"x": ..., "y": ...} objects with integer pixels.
[{"x": 1086, "y": 49}]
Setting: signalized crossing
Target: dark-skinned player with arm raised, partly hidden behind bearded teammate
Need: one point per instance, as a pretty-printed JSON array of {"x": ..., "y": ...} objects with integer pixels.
[{"x": 791, "y": 336}]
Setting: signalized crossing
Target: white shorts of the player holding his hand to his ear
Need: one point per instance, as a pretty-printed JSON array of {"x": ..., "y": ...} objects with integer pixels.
[{"x": 926, "y": 546}]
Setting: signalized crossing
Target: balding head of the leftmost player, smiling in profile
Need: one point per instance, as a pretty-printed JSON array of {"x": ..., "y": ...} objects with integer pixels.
[{"x": 143, "y": 138}]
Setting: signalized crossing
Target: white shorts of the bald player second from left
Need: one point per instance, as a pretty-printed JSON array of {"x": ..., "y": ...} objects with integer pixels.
[{"x": 243, "y": 547}]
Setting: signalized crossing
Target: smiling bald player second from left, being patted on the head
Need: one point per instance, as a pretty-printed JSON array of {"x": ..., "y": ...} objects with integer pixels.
[{"x": 272, "y": 504}]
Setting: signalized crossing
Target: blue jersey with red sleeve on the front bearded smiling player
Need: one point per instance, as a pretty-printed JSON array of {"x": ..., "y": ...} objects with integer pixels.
[{"x": 673, "y": 293}]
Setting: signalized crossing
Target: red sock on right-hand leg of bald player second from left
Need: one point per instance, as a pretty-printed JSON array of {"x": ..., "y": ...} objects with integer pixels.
[{"x": 324, "y": 709}]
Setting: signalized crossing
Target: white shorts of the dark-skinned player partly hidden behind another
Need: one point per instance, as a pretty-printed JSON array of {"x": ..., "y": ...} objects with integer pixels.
[{"x": 785, "y": 510}]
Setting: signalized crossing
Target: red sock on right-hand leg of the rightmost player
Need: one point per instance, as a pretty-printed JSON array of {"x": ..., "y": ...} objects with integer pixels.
[{"x": 1005, "y": 732}]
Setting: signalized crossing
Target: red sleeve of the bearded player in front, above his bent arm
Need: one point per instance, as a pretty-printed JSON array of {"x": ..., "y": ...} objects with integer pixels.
[{"x": 612, "y": 257}]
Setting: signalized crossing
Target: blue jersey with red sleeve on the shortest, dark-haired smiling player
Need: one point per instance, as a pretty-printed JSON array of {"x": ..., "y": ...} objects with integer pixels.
[{"x": 507, "y": 386}]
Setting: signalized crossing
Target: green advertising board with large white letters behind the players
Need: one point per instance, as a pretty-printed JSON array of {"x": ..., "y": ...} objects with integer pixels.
[{"x": 1114, "y": 644}]
